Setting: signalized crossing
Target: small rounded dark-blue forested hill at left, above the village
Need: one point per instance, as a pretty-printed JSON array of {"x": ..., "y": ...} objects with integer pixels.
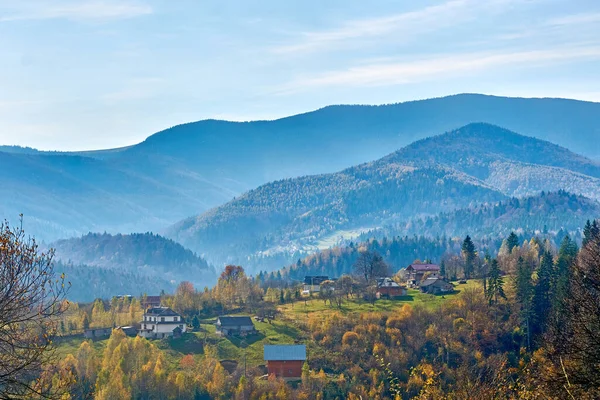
[{"x": 137, "y": 254}]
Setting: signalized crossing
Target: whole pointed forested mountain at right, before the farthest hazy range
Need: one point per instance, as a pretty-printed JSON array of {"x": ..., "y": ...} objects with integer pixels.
[{"x": 475, "y": 164}]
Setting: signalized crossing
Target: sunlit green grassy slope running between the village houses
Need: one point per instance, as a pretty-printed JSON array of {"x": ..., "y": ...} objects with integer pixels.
[{"x": 285, "y": 330}]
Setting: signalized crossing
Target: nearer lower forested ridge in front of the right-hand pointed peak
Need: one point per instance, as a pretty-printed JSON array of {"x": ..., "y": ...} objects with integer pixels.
[{"x": 295, "y": 214}]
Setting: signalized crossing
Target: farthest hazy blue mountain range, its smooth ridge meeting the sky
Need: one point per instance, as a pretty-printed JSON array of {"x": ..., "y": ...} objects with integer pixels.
[{"x": 191, "y": 168}]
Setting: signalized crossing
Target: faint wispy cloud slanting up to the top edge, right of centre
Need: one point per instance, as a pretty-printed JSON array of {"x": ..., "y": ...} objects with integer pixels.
[{"x": 403, "y": 25}]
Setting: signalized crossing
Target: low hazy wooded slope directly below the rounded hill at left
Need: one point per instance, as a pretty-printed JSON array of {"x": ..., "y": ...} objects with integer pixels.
[{"x": 90, "y": 282}]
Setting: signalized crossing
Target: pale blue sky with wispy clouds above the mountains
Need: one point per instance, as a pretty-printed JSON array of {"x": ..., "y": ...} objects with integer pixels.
[{"x": 92, "y": 74}]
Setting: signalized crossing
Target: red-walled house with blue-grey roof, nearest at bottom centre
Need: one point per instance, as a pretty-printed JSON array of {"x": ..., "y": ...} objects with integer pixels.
[{"x": 285, "y": 361}]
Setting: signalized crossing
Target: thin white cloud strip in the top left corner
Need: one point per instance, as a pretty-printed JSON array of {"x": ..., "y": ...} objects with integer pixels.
[{"x": 74, "y": 10}]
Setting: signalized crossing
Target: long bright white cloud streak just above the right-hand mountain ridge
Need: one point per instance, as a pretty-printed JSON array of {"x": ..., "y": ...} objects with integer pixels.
[{"x": 445, "y": 66}]
